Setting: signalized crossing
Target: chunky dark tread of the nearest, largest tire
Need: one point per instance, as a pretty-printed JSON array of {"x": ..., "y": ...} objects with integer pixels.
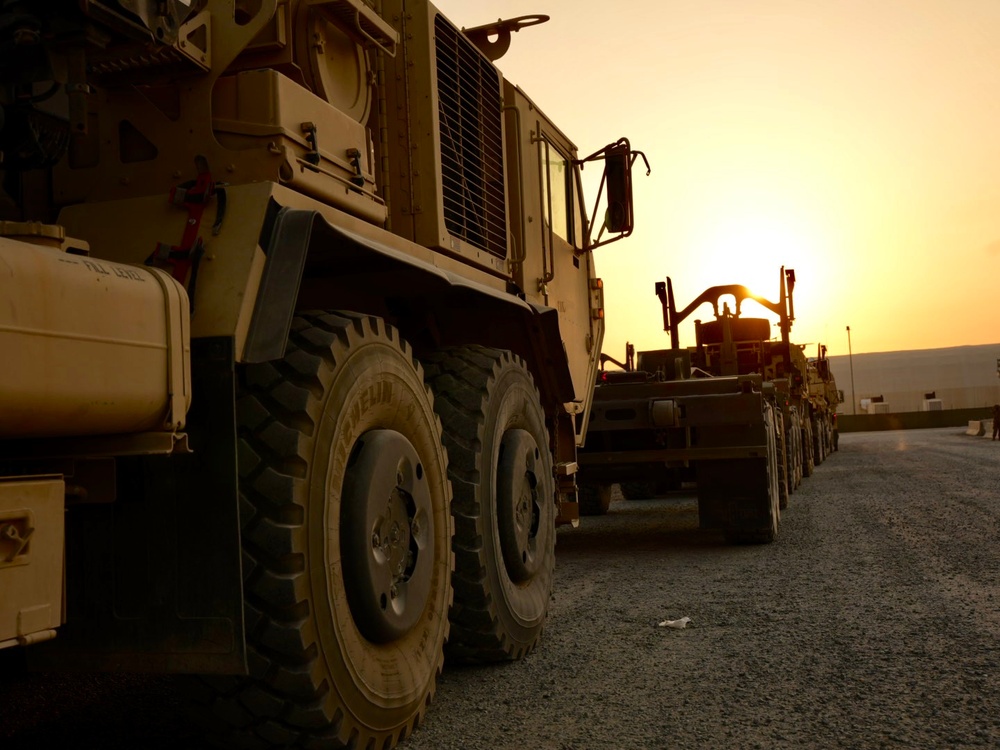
[{"x": 286, "y": 701}]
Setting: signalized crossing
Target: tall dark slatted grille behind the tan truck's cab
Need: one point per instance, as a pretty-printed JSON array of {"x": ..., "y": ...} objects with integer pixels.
[{"x": 471, "y": 142}]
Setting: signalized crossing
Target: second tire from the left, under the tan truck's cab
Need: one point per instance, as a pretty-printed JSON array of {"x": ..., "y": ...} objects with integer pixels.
[{"x": 504, "y": 504}]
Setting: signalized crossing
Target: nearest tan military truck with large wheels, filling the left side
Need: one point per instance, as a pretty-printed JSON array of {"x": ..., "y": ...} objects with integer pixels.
[{"x": 300, "y": 326}]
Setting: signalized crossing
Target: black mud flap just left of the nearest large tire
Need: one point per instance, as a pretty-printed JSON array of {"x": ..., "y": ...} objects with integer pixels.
[{"x": 153, "y": 580}]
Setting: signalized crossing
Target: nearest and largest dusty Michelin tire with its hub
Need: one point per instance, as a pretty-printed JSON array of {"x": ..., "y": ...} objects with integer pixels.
[{"x": 344, "y": 507}]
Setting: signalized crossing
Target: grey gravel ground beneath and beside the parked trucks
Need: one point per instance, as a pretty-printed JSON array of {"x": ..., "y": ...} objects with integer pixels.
[{"x": 871, "y": 622}]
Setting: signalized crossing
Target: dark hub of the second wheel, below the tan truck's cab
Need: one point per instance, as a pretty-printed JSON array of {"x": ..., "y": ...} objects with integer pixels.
[{"x": 518, "y": 510}]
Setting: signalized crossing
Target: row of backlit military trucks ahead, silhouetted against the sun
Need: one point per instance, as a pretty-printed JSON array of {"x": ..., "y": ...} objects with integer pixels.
[{"x": 735, "y": 414}]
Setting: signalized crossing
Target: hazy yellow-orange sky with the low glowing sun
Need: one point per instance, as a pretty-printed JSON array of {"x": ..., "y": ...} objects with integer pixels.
[{"x": 855, "y": 141}]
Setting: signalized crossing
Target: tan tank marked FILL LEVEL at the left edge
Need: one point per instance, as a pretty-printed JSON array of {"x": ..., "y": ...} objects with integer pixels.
[{"x": 89, "y": 347}]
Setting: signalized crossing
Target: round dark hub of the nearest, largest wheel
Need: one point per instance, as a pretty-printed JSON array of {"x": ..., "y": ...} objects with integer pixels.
[{"x": 386, "y": 536}]
